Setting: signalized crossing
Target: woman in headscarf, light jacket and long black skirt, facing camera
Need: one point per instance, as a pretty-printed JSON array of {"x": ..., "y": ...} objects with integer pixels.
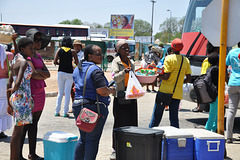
[{"x": 124, "y": 114}]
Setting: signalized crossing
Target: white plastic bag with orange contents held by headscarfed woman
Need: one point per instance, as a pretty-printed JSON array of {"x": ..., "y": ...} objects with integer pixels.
[{"x": 134, "y": 88}]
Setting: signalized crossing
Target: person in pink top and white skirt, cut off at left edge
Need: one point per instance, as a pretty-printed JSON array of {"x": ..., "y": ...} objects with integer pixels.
[{"x": 5, "y": 119}]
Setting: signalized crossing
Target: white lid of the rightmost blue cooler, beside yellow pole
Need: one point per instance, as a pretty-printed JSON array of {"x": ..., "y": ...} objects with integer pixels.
[{"x": 203, "y": 134}]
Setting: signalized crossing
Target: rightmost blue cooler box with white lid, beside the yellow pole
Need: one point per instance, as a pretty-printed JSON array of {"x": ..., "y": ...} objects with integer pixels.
[{"x": 208, "y": 145}]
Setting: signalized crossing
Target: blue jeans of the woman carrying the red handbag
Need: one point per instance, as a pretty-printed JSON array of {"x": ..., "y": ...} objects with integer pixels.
[{"x": 87, "y": 145}]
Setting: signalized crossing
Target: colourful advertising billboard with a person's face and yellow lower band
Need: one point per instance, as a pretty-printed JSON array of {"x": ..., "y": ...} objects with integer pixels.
[{"x": 122, "y": 26}]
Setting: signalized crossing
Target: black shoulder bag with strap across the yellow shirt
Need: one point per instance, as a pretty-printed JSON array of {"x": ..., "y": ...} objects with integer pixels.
[{"x": 164, "y": 99}]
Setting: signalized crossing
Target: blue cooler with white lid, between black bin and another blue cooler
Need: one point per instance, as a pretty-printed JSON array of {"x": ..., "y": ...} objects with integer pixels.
[{"x": 177, "y": 144}]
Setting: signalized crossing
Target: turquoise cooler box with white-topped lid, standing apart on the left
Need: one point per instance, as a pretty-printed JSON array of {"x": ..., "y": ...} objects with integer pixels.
[{"x": 59, "y": 145}]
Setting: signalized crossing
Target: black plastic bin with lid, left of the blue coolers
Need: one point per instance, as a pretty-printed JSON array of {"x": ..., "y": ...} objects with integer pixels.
[{"x": 135, "y": 143}]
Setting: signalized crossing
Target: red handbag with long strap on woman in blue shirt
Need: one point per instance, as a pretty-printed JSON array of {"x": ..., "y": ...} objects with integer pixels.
[{"x": 87, "y": 119}]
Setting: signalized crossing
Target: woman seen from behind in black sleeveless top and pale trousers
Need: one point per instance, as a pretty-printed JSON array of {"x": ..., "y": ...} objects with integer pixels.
[{"x": 63, "y": 58}]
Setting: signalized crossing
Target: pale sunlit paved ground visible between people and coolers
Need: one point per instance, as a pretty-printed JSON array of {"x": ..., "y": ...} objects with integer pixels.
[{"x": 49, "y": 122}]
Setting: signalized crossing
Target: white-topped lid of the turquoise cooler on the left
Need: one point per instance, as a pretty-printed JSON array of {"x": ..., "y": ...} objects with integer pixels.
[{"x": 60, "y": 137}]
